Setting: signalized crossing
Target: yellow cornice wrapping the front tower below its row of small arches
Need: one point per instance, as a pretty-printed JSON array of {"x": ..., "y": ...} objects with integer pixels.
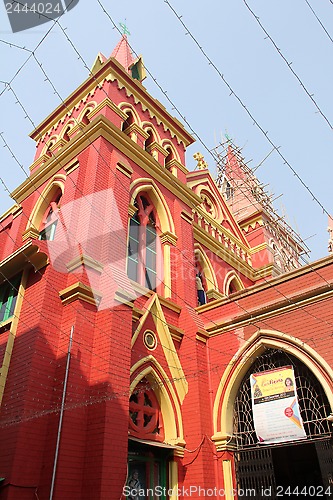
[{"x": 102, "y": 127}]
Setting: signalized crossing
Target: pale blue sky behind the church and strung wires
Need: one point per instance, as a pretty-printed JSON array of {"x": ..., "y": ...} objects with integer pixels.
[{"x": 236, "y": 44}]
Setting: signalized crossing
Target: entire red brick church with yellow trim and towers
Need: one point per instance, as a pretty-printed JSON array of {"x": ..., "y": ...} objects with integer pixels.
[{"x": 149, "y": 316}]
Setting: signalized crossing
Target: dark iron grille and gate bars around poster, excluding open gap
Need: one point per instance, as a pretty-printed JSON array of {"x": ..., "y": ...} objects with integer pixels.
[{"x": 254, "y": 464}]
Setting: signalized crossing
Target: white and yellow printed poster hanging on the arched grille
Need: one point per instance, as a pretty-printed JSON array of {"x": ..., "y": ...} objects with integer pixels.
[{"x": 275, "y": 407}]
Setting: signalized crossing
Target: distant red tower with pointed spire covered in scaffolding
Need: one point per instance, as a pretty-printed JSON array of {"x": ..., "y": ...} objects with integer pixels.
[{"x": 253, "y": 209}]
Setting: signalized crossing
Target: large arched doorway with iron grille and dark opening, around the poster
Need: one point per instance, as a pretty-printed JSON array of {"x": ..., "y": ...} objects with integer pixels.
[{"x": 287, "y": 470}]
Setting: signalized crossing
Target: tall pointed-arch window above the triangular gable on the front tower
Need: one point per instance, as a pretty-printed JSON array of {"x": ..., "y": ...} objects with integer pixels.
[{"x": 142, "y": 248}]
